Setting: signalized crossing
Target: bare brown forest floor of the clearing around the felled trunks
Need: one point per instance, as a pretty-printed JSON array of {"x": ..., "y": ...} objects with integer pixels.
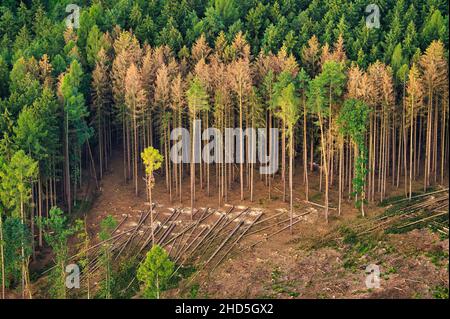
[{"x": 412, "y": 265}]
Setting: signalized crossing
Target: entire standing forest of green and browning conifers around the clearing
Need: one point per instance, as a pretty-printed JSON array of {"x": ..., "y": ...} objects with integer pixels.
[{"x": 55, "y": 85}]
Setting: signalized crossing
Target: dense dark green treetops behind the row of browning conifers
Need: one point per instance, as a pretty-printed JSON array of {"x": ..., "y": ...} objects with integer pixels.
[{"x": 33, "y": 28}]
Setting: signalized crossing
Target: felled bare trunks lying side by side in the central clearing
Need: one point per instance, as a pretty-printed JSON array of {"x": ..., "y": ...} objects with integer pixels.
[{"x": 204, "y": 241}]
